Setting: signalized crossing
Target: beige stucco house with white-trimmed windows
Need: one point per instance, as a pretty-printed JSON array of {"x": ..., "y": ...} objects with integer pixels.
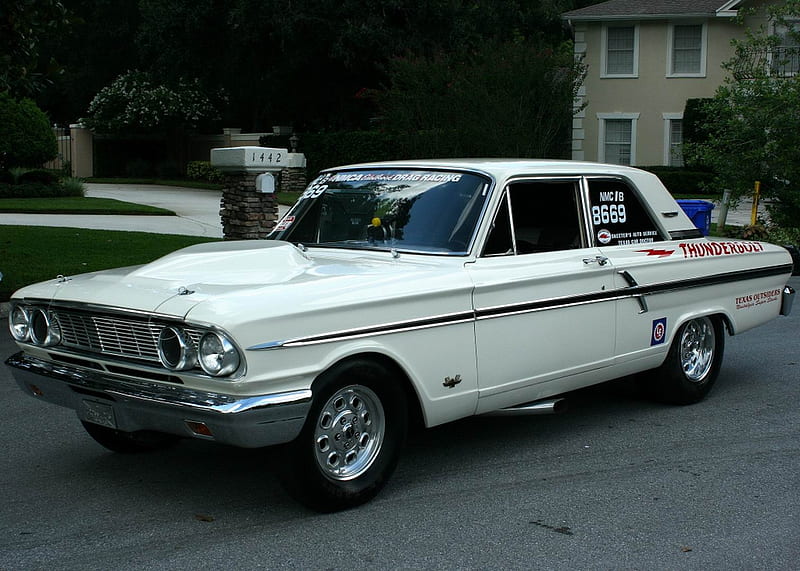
[{"x": 645, "y": 58}]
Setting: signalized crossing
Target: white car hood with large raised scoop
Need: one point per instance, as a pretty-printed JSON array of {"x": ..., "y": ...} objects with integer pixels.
[{"x": 227, "y": 271}]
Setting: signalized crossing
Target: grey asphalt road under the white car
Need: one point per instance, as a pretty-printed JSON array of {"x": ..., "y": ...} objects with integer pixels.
[{"x": 615, "y": 483}]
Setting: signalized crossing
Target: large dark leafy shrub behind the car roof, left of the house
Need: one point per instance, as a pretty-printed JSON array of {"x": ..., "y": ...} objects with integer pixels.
[{"x": 504, "y": 99}]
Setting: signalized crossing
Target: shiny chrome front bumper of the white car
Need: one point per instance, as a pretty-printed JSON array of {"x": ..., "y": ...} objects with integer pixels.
[{"x": 246, "y": 421}]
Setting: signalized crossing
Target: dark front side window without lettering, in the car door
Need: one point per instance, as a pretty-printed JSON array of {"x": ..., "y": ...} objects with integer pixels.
[{"x": 544, "y": 217}]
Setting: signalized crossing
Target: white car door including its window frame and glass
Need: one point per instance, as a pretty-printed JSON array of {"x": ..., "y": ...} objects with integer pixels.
[{"x": 543, "y": 297}]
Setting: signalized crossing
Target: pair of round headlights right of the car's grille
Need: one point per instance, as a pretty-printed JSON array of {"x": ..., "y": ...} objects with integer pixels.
[{"x": 215, "y": 353}]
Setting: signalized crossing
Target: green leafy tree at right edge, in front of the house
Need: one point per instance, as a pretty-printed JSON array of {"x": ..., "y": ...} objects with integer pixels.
[{"x": 754, "y": 130}]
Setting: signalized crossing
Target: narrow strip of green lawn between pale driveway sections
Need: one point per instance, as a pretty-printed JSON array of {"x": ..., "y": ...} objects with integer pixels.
[{"x": 78, "y": 205}]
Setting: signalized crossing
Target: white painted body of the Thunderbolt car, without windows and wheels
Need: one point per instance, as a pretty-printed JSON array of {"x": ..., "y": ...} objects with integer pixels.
[{"x": 511, "y": 329}]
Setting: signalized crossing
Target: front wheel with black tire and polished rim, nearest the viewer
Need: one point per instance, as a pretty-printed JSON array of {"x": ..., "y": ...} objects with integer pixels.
[{"x": 350, "y": 443}]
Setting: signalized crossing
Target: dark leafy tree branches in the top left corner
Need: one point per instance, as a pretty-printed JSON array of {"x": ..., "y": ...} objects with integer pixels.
[{"x": 23, "y": 25}]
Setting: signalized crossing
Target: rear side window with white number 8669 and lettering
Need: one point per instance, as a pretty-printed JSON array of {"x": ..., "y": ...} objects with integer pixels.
[{"x": 618, "y": 216}]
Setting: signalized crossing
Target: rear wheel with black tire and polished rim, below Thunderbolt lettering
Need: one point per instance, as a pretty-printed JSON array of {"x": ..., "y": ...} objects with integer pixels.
[{"x": 692, "y": 364}]
